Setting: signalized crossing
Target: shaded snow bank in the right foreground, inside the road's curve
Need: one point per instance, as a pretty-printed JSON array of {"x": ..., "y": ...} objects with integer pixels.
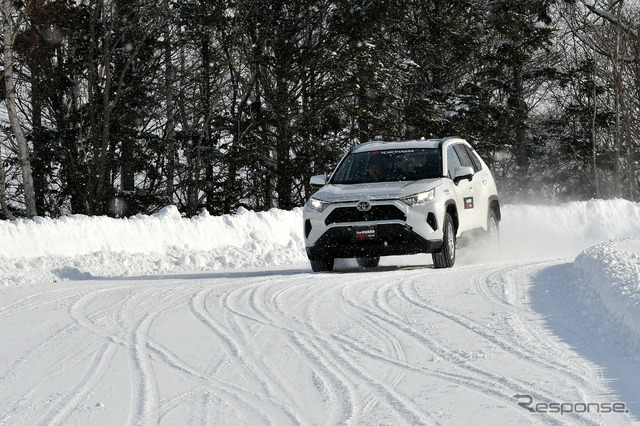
[{"x": 609, "y": 279}]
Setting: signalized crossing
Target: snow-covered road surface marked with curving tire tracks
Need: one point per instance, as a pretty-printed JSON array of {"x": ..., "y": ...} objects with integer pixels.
[{"x": 397, "y": 345}]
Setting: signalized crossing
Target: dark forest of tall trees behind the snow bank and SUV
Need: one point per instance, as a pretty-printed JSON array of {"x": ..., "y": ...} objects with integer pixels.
[{"x": 121, "y": 107}]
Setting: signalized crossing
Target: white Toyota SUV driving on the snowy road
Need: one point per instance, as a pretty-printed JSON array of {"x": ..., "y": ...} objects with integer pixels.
[{"x": 396, "y": 198}]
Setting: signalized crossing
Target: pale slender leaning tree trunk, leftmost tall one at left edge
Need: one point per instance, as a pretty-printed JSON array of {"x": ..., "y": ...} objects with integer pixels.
[{"x": 23, "y": 148}]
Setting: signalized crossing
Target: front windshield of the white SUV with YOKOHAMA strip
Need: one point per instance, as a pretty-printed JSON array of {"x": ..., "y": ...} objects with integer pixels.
[{"x": 389, "y": 166}]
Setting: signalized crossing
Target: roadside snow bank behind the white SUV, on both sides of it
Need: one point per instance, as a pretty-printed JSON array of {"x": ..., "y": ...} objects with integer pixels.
[{"x": 80, "y": 247}]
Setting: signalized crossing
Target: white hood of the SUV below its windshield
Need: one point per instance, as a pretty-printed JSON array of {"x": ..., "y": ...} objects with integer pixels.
[{"x": 374, "y": 191}]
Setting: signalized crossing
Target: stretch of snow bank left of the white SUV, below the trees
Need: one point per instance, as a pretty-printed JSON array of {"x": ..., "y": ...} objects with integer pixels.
[{"x": 82, "y": 247}]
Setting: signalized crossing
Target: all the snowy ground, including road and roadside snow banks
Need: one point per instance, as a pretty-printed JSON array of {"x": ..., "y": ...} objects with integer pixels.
[{"x": 219, "y": 320}]
